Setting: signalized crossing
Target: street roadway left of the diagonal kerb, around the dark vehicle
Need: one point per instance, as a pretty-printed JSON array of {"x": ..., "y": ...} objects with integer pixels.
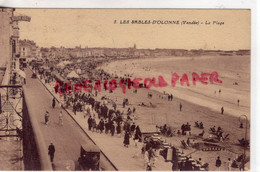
[{"x": 67, "y": 138}]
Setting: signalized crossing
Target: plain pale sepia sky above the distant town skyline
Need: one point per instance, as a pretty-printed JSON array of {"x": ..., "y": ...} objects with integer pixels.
[{"x": 96, "y": 28}]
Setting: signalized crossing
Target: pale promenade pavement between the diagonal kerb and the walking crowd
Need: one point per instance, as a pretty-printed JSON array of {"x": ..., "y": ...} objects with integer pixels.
[{"x": 125, "y": 159}]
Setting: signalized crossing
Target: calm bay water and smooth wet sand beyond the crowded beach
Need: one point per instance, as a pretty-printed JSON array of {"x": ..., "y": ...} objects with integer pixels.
[{"x": 231, "y": 69}]
